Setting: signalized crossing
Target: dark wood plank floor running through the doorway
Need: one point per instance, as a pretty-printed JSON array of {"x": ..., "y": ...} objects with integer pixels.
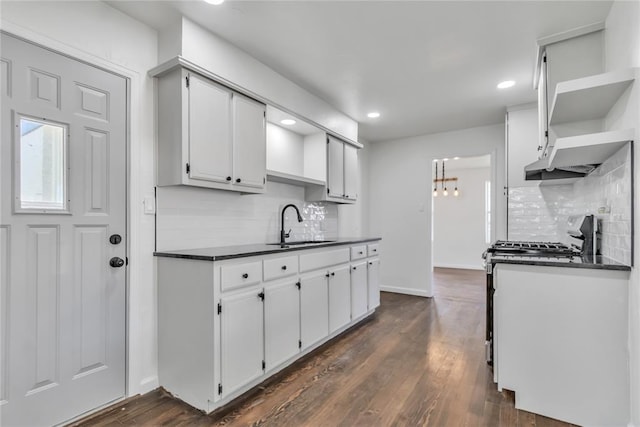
[{"x": 419, "y": 361}]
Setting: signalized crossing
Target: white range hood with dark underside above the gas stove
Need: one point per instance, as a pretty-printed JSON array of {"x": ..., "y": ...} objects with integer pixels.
[{"x": 578, "y": 156}]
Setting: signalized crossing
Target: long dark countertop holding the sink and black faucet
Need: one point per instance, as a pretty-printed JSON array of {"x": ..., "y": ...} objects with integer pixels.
[{"x": 240, "y": 251}]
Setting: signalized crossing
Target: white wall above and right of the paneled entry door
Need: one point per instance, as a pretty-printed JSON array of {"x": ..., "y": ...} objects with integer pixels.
[{"x": 97, "y": 33}]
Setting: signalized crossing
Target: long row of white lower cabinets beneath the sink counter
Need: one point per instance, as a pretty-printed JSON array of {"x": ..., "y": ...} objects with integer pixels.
[{"x": 224, "y": 326}]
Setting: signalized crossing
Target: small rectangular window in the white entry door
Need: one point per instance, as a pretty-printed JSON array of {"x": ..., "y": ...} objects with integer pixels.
[{"x": 42, "y": 171}]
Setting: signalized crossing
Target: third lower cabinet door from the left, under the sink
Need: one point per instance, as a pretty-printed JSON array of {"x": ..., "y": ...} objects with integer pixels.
[{"x": 314, "y": 309}]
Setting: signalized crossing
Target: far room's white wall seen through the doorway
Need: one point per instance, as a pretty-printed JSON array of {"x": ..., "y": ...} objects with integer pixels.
[{"x": 459, "y": 222}]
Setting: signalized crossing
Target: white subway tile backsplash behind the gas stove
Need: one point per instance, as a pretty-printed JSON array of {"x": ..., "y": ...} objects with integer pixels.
[{"x": 540, "y": 213}]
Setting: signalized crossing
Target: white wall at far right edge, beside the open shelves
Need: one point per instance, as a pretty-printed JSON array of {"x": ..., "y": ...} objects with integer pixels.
[{"x": 622, "y": 50}]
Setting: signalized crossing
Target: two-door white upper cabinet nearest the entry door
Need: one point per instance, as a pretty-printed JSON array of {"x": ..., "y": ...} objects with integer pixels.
[{"x": 208, "y": 135}]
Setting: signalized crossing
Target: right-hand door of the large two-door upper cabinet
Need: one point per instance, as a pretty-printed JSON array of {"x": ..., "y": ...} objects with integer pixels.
[{"x": 249, "y": 142}]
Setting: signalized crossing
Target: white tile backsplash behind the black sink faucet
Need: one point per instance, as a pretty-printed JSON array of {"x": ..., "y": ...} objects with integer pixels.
[{"x": 190, "y": 217}]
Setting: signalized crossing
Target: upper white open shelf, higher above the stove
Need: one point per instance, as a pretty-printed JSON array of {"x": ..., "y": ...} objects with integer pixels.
[{"x": 589, "y": 98}]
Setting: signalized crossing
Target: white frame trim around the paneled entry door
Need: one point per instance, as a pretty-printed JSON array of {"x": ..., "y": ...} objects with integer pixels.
[{"x": 133, "y": 80}]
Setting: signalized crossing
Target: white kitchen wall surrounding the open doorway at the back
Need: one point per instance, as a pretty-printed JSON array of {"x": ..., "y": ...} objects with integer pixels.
[{"x": 400, "y": 199}]
